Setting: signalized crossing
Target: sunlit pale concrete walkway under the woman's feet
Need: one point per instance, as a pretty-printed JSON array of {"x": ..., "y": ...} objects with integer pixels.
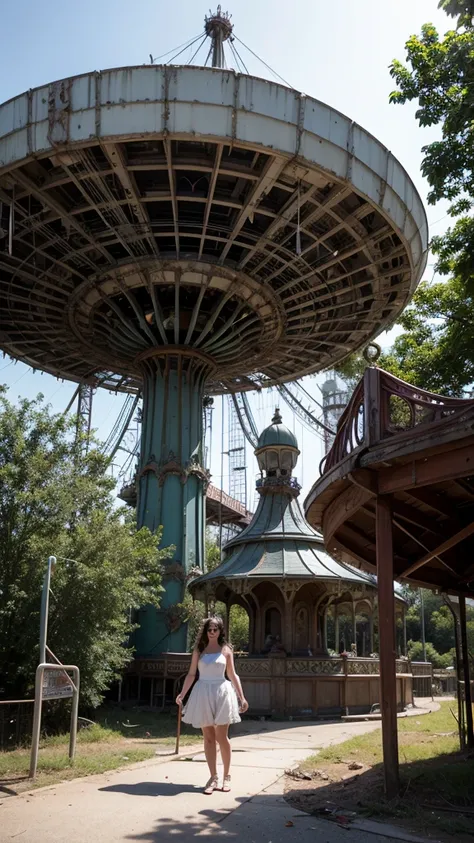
[{"x": 161, "y": 800}]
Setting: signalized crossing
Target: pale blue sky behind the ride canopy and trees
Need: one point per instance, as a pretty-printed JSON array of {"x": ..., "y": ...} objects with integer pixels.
[{"x": 338, "y": 52}]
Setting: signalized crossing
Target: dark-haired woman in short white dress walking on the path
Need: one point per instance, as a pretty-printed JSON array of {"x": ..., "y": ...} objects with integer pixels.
[{"x": 213, "y": 704}]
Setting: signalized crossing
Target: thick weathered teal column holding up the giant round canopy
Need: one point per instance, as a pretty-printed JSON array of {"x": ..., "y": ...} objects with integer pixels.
[{"x": 172, "y": 484}]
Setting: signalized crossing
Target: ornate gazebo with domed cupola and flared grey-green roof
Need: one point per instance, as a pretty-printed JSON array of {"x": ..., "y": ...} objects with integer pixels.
[{"x": 278, "y": 570}]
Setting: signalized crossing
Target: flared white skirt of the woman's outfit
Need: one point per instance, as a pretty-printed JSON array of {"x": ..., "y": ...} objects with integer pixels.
[{"x": 211, "y": 703}]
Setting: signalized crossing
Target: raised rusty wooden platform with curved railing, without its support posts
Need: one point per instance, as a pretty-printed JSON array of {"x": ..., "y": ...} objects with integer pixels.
[{"x": 417, "y": 448}]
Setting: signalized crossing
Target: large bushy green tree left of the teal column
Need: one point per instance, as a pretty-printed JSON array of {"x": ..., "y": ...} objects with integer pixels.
[{"x": 53, "y": 501}]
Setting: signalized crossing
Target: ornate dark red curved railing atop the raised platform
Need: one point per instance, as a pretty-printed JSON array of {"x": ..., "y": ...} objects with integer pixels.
[{"x": 384, "y": 406}]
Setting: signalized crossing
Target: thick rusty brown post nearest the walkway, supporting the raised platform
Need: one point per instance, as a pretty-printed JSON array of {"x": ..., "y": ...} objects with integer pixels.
[{"x": 387, "y": 645}]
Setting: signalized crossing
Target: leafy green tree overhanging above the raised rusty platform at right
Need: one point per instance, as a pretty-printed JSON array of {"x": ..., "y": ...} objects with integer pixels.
[{"x": 436, "y": 349}]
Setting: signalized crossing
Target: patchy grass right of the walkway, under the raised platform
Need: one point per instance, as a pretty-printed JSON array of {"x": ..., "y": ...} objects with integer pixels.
[{"x": 434, "y": 776}]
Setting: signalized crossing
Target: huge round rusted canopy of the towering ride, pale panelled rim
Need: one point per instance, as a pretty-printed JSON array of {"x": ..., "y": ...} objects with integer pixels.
[{"x": 156, "y": 206}]
